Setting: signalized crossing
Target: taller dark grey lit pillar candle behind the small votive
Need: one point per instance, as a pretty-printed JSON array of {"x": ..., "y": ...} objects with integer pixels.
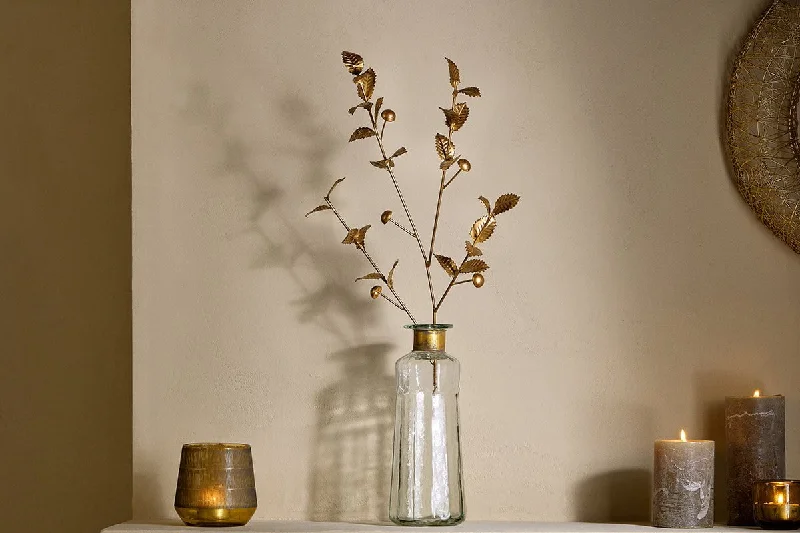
[{"x": 755, "y": 432}]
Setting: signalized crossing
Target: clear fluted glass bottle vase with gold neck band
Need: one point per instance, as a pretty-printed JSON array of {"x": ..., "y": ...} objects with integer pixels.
[{"x": 427, "y": 486}]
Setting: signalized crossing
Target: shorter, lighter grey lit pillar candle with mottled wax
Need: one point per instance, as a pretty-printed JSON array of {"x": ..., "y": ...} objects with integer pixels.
[{"x": 683, "y": 484}]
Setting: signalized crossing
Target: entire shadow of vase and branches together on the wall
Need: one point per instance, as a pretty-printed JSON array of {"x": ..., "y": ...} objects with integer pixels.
[{"x": 351, "y": 448}]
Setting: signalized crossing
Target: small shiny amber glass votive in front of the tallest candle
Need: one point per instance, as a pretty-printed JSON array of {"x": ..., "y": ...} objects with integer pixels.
[{"x": 776, "y": 504}]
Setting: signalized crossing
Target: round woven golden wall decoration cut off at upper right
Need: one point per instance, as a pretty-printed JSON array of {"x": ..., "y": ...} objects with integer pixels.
[{"x": 761, "y": 125}]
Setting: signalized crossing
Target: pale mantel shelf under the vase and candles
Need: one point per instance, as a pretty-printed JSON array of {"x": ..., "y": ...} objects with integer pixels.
[{"x": 289, "y": 526}]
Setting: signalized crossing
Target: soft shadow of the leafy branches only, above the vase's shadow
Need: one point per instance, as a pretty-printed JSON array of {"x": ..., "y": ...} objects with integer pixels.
[{"x": 322, "y": 275}]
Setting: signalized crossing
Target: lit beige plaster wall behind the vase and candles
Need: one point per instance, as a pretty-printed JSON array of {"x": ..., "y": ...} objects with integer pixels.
[{"x": 630, "y": 291}]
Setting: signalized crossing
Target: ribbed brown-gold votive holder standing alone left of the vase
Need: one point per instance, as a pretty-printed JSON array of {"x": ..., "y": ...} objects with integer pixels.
[{"x": 216, "y": 485}]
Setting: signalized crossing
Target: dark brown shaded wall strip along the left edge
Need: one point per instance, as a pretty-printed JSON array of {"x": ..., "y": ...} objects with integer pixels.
[{"x": 65, "y": 271}]
